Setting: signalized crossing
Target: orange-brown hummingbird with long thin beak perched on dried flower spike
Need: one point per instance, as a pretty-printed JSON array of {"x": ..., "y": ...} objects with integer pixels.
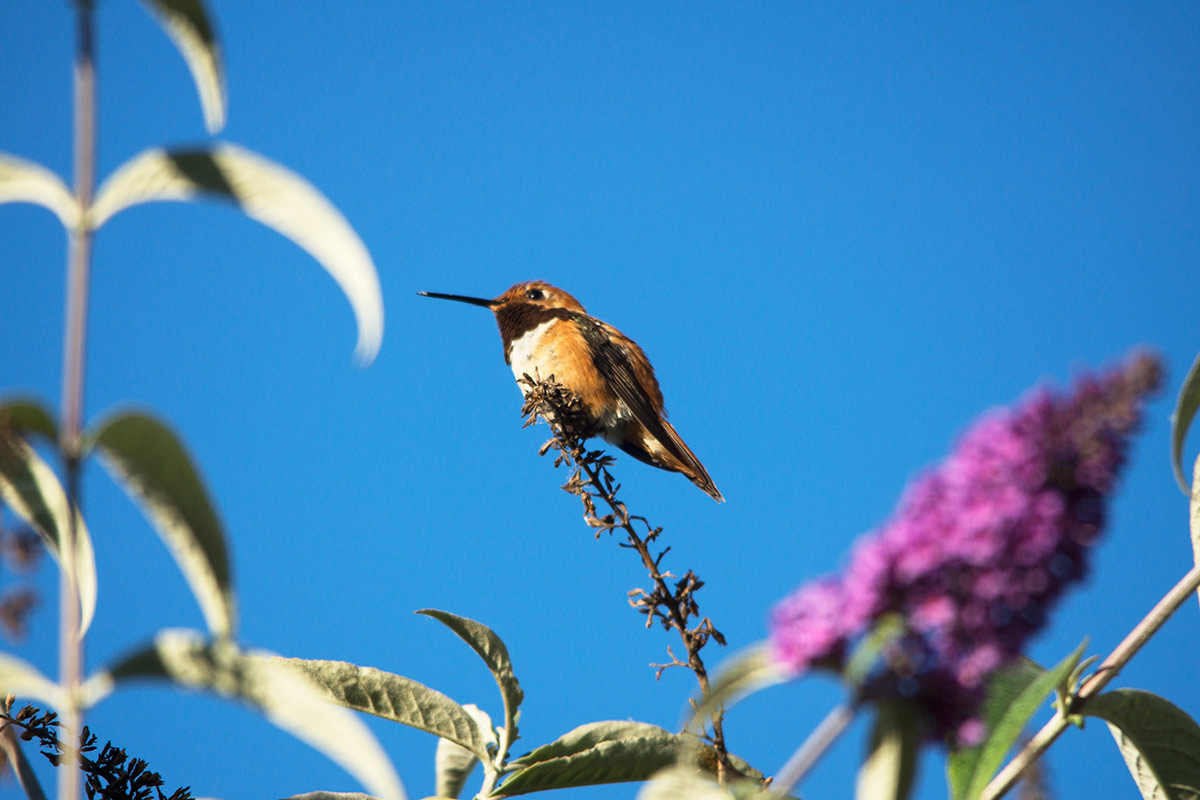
[{"x": 547, "y": 332}]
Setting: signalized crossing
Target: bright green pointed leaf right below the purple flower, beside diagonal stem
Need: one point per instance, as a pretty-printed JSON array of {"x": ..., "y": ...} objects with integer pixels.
[{"x": 1015, "y": 695}]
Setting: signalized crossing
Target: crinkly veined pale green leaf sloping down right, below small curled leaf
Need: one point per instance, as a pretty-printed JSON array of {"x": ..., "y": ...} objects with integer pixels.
[{"x": 394, "y": 697}]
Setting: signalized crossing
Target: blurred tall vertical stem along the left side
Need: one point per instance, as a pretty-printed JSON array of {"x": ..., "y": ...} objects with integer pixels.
[{"x": 75, "y": 340}]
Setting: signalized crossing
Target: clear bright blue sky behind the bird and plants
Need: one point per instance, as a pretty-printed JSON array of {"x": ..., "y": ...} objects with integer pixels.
[{"x": 841, "y": 233}]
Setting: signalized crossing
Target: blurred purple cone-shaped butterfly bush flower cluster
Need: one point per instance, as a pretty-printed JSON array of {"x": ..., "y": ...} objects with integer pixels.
[{"x": 977, "y": 552}]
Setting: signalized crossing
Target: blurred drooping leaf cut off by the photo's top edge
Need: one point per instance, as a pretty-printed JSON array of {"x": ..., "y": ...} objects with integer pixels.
[{"x": 188, "y": 25}]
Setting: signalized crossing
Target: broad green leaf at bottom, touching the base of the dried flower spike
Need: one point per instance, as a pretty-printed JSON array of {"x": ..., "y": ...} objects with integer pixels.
[{"x": 601, "y": 753}]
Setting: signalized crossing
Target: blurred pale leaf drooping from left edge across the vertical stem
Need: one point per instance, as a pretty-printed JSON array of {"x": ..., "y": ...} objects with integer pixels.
[{"x": 32, "y": 490}]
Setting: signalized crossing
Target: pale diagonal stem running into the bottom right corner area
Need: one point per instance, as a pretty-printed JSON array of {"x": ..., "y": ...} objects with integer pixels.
[{"x": 1100, "y": 679}]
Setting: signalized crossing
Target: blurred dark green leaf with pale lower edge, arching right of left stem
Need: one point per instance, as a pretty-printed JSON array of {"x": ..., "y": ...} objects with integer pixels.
[{"x": 148, "y": 461}]
